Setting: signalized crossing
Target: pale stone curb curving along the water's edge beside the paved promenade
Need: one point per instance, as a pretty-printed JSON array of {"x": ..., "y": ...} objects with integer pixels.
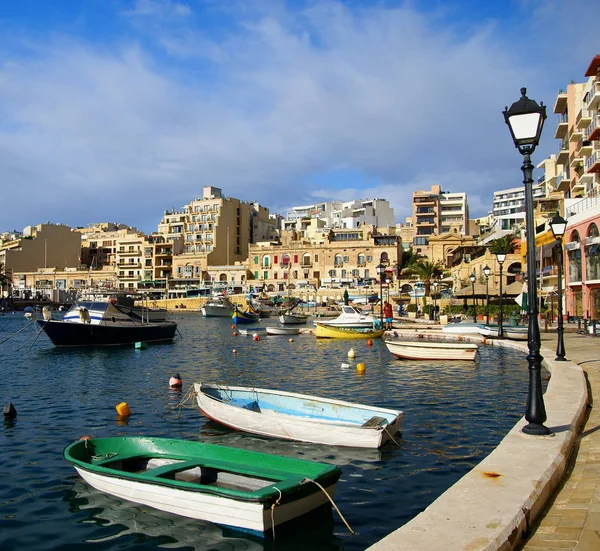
[{"x": 493, "y": 506}]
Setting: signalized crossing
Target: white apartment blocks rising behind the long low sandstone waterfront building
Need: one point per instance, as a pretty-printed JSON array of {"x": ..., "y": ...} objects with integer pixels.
[{"x": 342, "y": 215}]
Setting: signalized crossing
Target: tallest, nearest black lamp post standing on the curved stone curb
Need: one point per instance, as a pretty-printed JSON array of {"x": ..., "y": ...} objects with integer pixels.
[{"x": 525, "y": 119}]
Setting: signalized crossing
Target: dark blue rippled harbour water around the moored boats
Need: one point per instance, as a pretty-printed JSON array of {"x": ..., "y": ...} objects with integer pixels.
[{"x": 455, "y": 414}]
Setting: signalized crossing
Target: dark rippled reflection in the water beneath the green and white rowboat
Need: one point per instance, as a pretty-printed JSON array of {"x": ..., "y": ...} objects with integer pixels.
[{"x": 117, "y": 519}]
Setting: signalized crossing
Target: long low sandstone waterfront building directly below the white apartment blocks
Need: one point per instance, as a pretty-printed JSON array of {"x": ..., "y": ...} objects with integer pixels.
[{"x": 345, "y": 257}]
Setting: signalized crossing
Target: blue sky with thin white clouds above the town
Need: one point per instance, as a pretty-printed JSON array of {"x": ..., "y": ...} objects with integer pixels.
[{"x": 117, "y": 110}]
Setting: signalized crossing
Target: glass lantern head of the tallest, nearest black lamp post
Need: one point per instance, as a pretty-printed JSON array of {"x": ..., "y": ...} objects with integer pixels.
[{"x": 525, "y": 119}]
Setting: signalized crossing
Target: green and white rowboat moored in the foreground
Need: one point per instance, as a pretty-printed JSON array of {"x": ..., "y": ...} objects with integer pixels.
[{"x": 233, "y": 487}]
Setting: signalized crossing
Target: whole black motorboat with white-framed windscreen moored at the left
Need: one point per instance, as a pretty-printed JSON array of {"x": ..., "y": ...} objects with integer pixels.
[{"x": 104, "y": 324}]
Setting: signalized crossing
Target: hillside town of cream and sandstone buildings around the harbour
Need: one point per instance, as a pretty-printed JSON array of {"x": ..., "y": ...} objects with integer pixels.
[{"x": 221, "y": 243}]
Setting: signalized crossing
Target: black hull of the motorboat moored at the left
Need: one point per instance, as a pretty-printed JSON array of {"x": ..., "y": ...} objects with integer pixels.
[{"x": 66, "y": 333}]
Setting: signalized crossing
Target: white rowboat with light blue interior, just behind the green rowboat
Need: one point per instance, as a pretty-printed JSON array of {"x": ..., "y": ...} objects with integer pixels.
[{"x": 299, "y": 417}]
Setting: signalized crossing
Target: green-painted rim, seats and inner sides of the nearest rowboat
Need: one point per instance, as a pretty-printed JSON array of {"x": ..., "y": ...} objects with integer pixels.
[{"x": 283, "y": 478}]
